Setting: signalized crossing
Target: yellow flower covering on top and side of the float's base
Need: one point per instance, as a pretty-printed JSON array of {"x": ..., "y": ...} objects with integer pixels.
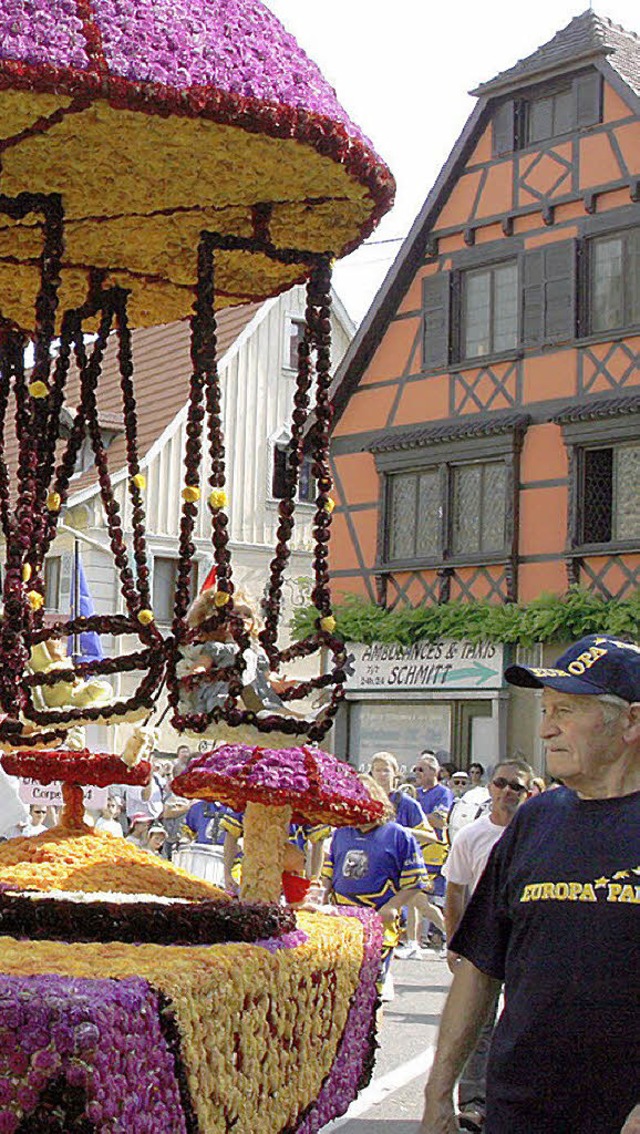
[{"x": 284, "y": 1027}]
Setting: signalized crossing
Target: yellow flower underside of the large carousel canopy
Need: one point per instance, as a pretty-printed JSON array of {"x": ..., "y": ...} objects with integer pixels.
[{"x": 212, "y": 173}]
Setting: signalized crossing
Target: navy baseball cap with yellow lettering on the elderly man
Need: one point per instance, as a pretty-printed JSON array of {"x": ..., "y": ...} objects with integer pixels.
[{"x": 595, "y": 665}]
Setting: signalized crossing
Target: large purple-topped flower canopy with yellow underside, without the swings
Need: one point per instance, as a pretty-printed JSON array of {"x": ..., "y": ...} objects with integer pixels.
[{"x": 155, "y": 121}]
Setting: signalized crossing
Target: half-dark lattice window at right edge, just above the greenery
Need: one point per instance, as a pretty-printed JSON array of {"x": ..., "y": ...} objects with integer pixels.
[{"x": 611, "y": 504}]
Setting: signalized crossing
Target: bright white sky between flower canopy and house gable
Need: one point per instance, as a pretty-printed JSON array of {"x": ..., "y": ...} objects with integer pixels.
[{"x": 402, "y": 71}]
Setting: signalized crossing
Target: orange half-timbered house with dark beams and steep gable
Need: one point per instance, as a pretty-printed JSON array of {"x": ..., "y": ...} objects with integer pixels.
[{"x": 487, "y": 437}]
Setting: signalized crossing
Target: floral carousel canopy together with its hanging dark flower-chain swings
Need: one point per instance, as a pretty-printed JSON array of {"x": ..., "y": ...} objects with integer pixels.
[{"x": 158, "y": 160}]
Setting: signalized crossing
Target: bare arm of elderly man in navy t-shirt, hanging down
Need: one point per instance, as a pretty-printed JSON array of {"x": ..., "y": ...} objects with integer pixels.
[{"x": 466, "y": 1011}]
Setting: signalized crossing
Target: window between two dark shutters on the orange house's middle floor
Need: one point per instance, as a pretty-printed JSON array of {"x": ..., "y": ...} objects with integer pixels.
[{"x": 491, "y": 310}]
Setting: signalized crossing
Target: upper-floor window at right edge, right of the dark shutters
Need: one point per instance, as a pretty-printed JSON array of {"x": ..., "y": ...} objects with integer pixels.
[{"x": 614, "y": 282}]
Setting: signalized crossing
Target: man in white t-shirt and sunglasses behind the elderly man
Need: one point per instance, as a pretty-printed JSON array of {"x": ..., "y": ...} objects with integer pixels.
[{"x": 509, "y": 789}]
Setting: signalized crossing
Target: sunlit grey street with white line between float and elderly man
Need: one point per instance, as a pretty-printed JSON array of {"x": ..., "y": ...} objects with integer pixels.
[{"x": 393, "y": 1102}]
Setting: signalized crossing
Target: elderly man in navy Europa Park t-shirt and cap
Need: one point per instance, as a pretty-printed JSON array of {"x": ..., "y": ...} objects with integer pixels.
[{"x": 557, "y": 917}]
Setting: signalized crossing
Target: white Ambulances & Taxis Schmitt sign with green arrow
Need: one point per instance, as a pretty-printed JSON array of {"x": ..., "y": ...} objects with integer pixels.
[{"x": 444, "y": 665}]
